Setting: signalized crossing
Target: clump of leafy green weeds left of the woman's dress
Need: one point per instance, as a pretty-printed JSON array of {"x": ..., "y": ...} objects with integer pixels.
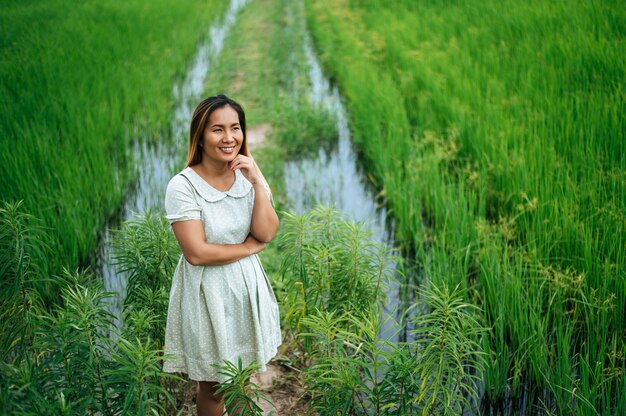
[{"x": 69, "y": 358}]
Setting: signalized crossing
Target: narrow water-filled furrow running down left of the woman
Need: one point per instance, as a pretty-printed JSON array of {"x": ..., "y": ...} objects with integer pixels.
[{"x": 158, "y": 160}]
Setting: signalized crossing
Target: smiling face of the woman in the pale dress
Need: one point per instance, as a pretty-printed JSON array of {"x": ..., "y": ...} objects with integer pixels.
[{"x": 223, "y": 136}]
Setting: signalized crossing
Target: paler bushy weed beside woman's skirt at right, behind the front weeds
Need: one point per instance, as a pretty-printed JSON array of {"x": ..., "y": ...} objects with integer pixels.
[{"x": 330, "y": 265}]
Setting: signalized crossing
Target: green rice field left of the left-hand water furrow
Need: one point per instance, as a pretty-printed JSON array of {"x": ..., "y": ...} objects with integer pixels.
[{"x": 76, "y": 78}]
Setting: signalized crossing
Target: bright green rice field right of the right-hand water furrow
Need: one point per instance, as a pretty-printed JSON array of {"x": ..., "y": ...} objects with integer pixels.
[{"x": 508, "y": 136}]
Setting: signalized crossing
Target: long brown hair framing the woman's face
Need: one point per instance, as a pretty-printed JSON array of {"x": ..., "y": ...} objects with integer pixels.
[{"x": 200, "y": 119}]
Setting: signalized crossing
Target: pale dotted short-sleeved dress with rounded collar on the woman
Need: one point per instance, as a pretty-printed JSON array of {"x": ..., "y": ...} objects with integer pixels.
[{"x": 217, "y": 313}]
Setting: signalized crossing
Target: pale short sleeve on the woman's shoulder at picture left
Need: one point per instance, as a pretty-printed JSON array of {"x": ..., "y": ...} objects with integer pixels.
[{"x": 180, "y": 203}]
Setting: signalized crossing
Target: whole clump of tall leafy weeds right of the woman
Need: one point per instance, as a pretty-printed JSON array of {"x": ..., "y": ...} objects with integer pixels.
[{"x": 335, "y": 282}]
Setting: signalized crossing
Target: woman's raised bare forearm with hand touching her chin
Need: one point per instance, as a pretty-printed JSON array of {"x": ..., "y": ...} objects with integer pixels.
[{"x": 264, "y": 224}]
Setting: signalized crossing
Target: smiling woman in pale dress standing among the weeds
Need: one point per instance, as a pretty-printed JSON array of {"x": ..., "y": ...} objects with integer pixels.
[{"x": 221, "y": 304}]
